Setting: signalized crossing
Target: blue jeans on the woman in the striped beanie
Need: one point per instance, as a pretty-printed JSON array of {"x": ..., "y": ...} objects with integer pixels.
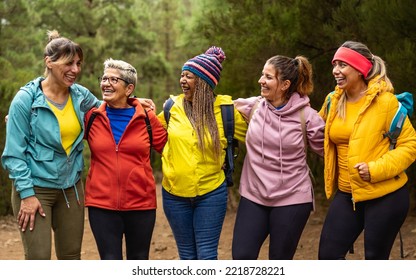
[{"x": 196, "y": 222}]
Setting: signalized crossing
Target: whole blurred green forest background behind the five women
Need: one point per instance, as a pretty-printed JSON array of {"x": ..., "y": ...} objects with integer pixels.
[{"x": 158, "y": 36}]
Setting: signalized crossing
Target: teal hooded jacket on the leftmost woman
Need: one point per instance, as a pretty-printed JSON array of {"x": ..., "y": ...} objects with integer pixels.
[{"x": 33, "y": 153}]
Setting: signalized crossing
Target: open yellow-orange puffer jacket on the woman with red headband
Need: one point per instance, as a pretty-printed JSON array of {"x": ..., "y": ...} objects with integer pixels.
[{"x": 367, "y": 144}]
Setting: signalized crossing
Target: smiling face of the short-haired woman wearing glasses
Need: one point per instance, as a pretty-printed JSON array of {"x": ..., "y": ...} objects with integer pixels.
[{"x": 115, "y": 94}]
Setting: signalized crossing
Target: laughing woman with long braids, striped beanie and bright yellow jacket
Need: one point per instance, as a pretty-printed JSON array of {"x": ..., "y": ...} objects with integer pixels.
[{"x": 194, "y": 187}]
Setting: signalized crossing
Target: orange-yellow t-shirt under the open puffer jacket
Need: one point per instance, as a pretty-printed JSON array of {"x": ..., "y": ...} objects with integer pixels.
[{"x": 339, "y": 134}]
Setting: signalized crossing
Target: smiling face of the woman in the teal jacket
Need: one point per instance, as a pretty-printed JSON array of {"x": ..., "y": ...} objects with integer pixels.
[{"x": 64, "y": 74}]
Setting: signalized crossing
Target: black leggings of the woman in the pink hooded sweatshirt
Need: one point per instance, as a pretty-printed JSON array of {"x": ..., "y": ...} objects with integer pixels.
[{"x": 255, "y": 222}]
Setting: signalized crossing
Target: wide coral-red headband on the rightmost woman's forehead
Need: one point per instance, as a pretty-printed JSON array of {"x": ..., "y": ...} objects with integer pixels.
[{"x": 355, "y": 59}]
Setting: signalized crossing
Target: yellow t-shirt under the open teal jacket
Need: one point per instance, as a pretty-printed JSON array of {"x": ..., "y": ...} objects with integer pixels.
[{"x": 68, "y": 123}]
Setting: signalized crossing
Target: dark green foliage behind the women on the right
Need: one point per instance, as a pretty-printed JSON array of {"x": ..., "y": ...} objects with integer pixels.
[{"x": 252, "y": 31}]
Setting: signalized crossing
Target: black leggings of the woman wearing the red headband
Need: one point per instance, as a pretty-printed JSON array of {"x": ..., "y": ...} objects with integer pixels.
[{"x": 380, "y": 219}]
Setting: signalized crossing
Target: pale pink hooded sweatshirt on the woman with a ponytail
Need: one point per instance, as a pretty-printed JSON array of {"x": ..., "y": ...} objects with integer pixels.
[{"x": 275, "y": 171}]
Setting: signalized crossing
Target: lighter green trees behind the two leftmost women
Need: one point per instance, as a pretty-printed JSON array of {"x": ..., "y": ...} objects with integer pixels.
[{"x": 124, "y": 29}]
